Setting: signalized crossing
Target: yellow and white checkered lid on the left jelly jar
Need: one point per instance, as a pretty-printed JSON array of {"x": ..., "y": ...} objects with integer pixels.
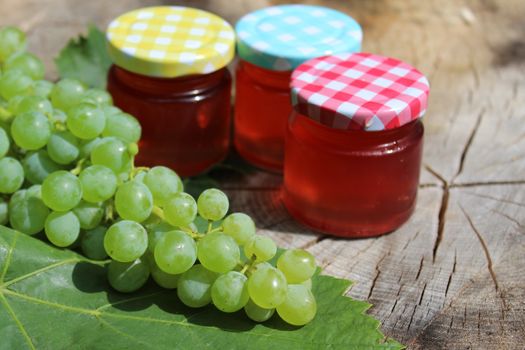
[{"x": 170, "y": 41}]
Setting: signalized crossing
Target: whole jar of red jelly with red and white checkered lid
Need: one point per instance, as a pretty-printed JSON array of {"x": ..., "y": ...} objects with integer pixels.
[{"x": 354, "y": 143}]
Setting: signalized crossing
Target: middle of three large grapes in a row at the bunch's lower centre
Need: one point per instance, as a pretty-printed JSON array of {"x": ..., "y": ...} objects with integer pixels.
[{"x": 175, "y": 252}]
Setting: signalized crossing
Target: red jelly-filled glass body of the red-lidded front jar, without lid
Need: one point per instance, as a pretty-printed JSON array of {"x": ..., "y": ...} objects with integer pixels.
[{"x": 351, "y": 182}]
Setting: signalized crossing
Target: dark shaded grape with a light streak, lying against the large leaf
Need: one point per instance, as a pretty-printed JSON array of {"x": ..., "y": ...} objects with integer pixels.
[{"x": 128, "y": 277}]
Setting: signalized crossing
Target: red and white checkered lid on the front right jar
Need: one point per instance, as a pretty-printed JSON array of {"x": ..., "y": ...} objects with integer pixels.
[{"x": 359, "y": 91}]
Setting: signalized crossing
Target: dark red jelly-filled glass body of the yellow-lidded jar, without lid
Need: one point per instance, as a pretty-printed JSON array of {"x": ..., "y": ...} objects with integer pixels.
[{"x": 185, "y": 121}]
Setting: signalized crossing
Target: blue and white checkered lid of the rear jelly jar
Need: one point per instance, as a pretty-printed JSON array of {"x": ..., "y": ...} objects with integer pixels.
[{"x": 282, "y": 37}]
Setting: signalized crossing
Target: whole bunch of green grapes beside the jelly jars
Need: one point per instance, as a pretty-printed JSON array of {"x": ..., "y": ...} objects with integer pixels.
[{"x": 67, "y": 170}]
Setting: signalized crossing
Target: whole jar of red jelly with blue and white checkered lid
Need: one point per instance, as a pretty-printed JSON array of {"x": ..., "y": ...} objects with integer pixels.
[{"x": 271, "y": 43}]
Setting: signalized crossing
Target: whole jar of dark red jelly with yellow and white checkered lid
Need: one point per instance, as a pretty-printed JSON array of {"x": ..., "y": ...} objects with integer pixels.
[{"x": 169, "y": 72}]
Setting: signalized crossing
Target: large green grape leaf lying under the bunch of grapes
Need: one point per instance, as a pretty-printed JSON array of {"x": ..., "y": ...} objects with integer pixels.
[{"x": 57, "y": 299}]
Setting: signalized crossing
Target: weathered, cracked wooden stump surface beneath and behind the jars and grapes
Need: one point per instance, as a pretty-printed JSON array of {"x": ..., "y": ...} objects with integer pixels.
[{"x": 453, "y": 276}]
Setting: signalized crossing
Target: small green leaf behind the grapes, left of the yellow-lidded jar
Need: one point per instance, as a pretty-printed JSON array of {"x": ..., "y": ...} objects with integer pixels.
[{"x": 86, "y": 59}]
